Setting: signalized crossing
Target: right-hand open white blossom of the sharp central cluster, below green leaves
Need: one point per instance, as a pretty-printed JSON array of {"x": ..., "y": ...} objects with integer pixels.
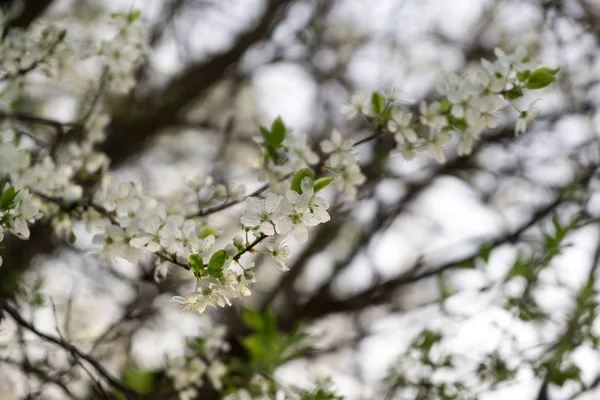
[{"x": 294, "y": 215}]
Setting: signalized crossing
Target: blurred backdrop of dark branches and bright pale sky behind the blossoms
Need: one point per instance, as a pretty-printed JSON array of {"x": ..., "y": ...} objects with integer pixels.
[{"x": 426, "y": 246}]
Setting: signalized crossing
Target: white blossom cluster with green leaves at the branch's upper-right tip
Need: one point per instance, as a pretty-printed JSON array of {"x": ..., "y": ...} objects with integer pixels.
[{"x": 470, "y": 104}]
